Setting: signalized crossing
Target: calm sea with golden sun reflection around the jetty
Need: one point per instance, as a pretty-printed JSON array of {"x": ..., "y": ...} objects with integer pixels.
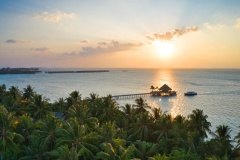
[{"x": 218, "y": 90}]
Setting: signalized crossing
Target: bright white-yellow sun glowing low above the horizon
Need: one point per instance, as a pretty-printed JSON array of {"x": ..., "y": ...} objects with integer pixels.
[{"x": 164, "y": 48}]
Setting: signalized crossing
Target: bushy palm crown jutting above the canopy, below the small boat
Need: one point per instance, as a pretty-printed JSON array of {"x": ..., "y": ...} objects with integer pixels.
[{"x": 198, "y": 121}]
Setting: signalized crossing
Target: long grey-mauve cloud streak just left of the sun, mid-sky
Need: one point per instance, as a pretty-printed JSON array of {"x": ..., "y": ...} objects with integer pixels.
[{"x": 108, "y": 47}]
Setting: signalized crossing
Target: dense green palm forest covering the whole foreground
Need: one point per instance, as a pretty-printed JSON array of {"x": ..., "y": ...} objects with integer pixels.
[{"x": 97, "y": 128}]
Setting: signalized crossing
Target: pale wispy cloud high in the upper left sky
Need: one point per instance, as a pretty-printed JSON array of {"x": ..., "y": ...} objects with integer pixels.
[{"x": 53, "y": 17}]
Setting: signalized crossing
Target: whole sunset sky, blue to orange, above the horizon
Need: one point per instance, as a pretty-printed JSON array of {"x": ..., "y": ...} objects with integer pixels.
[{"x": 120, "y": 33}]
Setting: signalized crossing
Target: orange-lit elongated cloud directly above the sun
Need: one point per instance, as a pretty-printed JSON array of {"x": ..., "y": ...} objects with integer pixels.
[{"x": 172, "y": 34}]
